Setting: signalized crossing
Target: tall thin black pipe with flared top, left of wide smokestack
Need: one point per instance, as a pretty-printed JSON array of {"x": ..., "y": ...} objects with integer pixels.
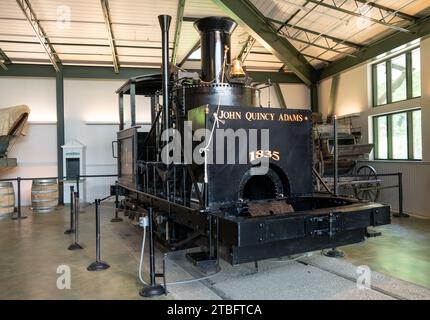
[{"x": 164, "y": 21}]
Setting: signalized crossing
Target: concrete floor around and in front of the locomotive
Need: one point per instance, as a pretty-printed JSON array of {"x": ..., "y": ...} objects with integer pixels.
[{"x": 31, "y": 250}]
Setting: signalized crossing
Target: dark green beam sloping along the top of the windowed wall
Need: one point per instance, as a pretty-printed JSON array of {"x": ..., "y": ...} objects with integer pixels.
[{"x": 418, "y": 30}]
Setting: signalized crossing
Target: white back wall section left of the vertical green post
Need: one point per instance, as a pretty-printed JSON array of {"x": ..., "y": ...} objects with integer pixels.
[{"x": 37, "y": 152}]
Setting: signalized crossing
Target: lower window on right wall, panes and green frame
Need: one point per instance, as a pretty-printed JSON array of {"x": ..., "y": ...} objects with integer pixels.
[{"x": 397, "y": 136}]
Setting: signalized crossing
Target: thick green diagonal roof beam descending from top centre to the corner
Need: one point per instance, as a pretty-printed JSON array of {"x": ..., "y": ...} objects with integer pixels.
[{"x": 257, "y": 26}]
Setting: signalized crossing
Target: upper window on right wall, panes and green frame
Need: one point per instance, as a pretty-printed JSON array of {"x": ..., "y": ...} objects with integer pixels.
[{"x": 397, "y": 79}]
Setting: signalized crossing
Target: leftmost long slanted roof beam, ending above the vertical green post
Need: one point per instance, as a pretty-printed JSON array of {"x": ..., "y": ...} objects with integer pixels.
[{"x": 31, "y": 17}]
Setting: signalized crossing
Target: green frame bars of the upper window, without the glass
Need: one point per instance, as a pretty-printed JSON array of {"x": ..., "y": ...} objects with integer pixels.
[{"x": 409, "y": 78}]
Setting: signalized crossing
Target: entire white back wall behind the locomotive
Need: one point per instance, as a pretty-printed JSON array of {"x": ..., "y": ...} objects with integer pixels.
[{"x": 91, "y": 116}]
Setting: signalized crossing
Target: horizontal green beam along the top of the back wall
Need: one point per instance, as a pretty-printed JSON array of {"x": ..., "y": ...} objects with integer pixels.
[{"x": 87, "y": 72}]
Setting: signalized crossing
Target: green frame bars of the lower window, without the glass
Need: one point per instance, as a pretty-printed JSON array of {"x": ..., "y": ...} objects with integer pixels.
[{"x": 389, "y": 125}]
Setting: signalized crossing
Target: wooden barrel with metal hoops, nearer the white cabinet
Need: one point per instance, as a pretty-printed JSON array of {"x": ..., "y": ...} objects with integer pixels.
[{"x": 44, "y": 195}]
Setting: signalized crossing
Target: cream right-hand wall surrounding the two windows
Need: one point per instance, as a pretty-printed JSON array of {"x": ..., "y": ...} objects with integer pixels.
[{"x": 354, "y": 96}]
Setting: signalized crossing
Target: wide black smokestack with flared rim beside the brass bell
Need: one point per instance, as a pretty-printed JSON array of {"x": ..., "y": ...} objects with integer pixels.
[{"x": 215, "y": 35}]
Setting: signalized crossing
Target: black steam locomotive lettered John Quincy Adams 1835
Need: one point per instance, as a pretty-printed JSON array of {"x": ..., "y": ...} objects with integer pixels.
[{"x": 231, "y": 210}]
